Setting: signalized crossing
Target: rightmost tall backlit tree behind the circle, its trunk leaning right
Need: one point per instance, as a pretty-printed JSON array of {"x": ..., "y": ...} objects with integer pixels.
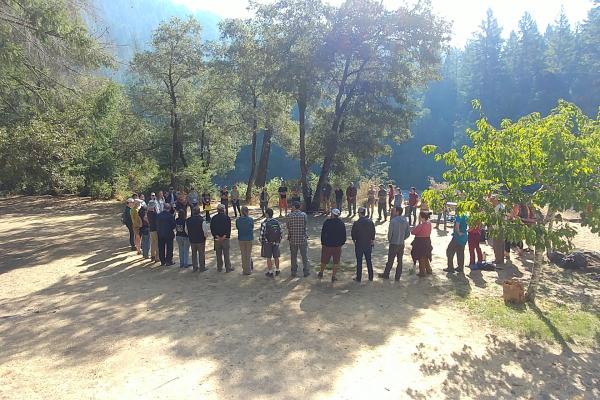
[{"x": 374, "y": 59}]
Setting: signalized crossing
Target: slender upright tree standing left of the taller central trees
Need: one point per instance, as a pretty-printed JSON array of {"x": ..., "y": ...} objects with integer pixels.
[{"x": 164, "y": 73}]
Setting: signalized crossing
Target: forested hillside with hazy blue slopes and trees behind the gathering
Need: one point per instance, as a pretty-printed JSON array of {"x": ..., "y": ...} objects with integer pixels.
[{"x": 134, "y": 94}]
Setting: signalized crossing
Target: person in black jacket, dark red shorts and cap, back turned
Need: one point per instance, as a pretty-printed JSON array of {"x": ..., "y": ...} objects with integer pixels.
[{"x": 333, "y": 237}]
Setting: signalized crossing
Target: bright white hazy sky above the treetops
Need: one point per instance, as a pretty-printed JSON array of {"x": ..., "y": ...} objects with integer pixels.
[{"x": 465, "y": 14}]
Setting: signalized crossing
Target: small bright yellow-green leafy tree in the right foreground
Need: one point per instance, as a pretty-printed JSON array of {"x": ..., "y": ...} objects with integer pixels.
[{"x": 549, "y": 163}]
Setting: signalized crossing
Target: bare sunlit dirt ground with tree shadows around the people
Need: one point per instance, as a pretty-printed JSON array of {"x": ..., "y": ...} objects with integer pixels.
[{"x": 83, "y": 317}]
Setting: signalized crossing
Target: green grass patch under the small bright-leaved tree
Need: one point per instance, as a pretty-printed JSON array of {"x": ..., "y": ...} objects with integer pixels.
[{"x": 546, "y": 321}]
